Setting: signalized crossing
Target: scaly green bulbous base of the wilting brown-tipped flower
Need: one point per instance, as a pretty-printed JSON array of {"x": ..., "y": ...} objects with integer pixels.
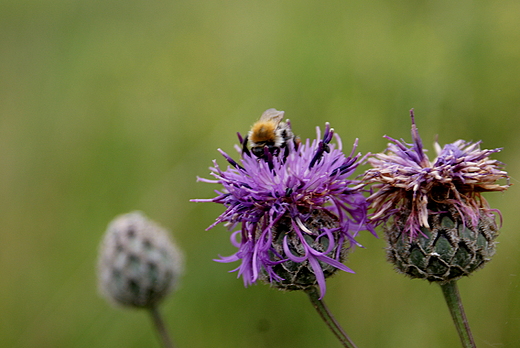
[{"x": 448, "y": 250}]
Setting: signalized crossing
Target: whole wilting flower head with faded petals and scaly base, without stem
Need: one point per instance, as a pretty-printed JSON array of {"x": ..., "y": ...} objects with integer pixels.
[{"x": 437, "y": 224}]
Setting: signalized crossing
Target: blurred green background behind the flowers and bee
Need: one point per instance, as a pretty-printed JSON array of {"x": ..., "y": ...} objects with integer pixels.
[{"x": 111, "y": 106}]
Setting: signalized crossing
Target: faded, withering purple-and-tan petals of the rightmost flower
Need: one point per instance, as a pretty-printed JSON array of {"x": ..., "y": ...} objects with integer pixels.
[{"x": 405, "y": 179}]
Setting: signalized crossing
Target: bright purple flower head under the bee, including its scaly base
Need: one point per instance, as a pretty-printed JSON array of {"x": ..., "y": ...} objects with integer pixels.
[{"x": 292, "y": 212}]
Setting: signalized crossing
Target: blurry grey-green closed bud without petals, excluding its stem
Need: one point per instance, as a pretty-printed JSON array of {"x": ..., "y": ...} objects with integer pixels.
[{"x": 138, "y": 264}]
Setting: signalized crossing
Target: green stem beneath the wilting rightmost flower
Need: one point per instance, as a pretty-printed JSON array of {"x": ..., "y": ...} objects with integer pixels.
[{"x": 452, "y": 297}]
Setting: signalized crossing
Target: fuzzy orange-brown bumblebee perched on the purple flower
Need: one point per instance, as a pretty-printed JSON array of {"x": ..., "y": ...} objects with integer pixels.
[{"x": 269, "y": 131}]
